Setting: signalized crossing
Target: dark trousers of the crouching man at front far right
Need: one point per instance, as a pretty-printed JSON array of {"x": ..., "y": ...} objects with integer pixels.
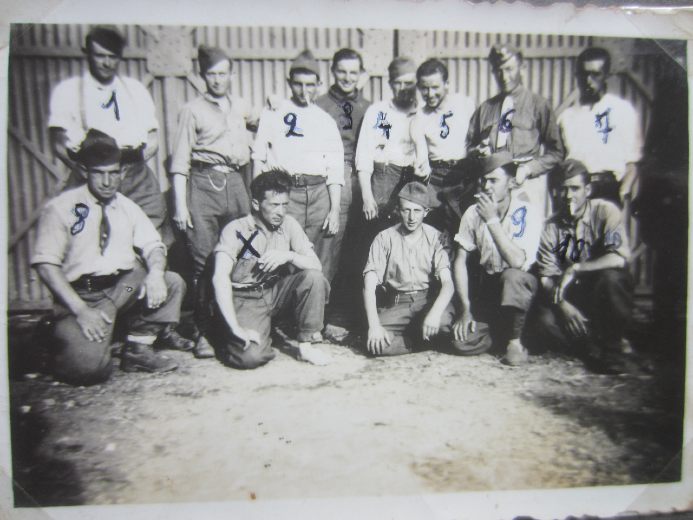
[{"x": 604, "y": 297}]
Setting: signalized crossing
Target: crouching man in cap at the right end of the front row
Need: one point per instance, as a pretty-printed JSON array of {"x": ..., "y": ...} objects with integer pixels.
[{"x": 587, "y": 291}]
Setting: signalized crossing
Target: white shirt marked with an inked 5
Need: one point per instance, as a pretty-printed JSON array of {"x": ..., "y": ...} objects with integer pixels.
[{"x": 446, "y": 126}]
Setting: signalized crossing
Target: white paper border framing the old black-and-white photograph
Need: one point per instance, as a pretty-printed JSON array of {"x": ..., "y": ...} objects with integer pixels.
[{"x": 406, "y": 14}]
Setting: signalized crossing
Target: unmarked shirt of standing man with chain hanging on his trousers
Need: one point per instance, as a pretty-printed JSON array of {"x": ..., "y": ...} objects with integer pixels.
[{"x": 210, "y": 134}]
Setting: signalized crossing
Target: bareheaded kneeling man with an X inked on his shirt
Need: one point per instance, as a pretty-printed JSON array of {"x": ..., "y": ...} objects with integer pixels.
[{"x": 265, "y": 266}]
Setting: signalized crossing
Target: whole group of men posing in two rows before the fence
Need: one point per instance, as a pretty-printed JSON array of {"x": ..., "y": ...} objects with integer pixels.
[{"x": 464, "y": 229}]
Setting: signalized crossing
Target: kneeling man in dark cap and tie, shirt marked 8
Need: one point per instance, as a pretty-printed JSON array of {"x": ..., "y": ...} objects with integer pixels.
[{"x": 86, "y": 252}]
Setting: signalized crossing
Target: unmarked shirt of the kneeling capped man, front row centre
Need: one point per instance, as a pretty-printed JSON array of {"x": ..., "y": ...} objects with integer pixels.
[{"x": 407, "y": 266}]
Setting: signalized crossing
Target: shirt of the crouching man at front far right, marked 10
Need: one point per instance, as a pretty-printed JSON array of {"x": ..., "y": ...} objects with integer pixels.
[{"x": 597, "y": 232}]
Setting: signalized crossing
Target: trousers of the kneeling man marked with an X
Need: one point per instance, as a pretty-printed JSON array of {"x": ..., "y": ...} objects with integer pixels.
[{"x": 301, "y": 295}]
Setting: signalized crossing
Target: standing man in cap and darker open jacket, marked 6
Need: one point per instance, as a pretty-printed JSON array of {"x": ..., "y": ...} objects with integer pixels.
[{"x": 520, "y": 122}]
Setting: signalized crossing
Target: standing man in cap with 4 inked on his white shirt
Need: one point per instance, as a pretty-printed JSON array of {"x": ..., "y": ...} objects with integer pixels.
[{"x": 385, "y": 151}]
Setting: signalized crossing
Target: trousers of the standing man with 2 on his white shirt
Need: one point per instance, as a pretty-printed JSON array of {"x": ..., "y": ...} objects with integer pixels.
[{"x": 310, "y": 205}]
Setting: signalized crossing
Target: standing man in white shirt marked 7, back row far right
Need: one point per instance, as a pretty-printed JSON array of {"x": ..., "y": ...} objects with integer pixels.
[{"x": 603, "y": 130}]
